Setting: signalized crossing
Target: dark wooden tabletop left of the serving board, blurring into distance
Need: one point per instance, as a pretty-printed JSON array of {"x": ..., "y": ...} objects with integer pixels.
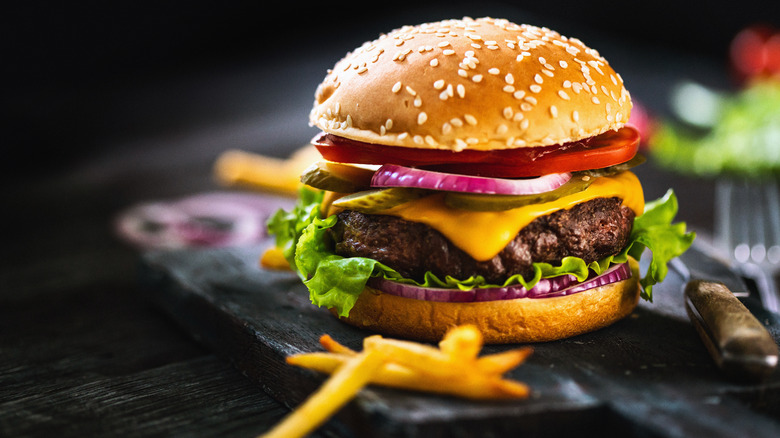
[{"x": 83, "y": 351}]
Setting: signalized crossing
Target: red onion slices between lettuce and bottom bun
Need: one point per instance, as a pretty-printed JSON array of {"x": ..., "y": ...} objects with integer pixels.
[{"x": 545, "y": 288}]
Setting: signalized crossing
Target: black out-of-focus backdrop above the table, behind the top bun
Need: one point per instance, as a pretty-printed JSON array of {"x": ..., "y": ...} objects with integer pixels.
[{"x": 85, "y": 76}]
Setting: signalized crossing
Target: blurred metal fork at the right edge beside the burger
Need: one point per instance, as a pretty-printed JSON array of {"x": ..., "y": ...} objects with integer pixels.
[{"x": 747, "y": 229}]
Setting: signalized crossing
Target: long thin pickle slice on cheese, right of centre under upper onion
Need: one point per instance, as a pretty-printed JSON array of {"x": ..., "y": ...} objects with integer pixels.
[{"x": 480, "y": 202}]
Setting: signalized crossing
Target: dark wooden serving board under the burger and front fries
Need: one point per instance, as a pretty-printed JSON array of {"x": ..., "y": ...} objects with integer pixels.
[{"x": 648, "y": 375}]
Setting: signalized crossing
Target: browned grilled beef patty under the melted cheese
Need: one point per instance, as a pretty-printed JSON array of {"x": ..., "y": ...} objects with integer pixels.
[{"x": 591, "y": 230}]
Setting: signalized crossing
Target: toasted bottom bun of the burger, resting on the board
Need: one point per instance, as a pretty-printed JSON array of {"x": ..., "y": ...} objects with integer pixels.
[{"x": 503, "y": 321}]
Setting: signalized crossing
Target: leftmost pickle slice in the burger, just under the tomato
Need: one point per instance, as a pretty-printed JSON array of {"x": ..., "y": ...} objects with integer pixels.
[{"x": 337, "y": 177}]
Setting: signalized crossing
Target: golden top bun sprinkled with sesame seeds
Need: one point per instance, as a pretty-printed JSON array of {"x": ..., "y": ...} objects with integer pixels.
[{"x": 478, "y": 84}]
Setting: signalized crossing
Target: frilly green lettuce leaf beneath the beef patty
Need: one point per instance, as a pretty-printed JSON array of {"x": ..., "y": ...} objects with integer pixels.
[{"x": 336, "y": 282}]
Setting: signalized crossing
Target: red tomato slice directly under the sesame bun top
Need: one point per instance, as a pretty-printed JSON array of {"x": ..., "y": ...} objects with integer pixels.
[{"x": 608, "y": 149}]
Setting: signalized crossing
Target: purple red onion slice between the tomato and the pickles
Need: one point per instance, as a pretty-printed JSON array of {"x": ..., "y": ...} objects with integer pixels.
[{"x": 392, "y": 175}]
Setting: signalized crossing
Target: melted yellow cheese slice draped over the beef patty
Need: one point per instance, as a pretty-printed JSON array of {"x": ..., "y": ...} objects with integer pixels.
[{"x": 483, "y": 234}]
